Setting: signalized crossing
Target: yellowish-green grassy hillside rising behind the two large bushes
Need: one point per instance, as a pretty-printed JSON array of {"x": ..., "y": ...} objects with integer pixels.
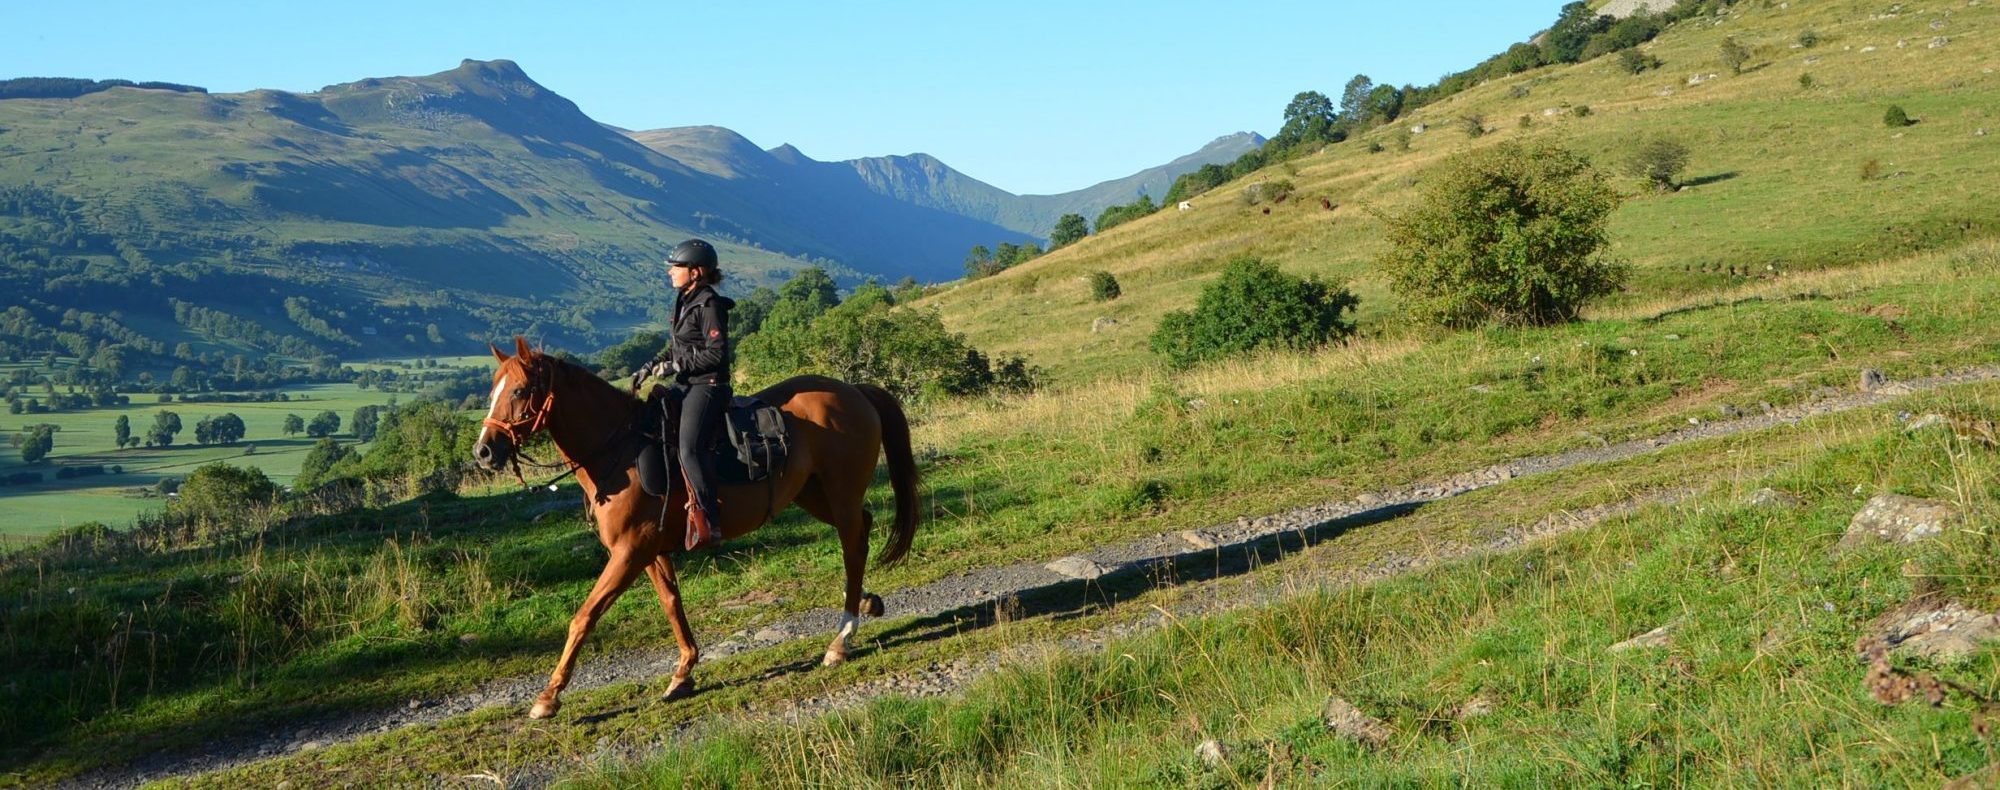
[{"x": 1777, "y": 181}]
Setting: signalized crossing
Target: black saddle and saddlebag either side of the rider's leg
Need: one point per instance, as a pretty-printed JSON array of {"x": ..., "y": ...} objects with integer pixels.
[{"x": 755, "y": 441}]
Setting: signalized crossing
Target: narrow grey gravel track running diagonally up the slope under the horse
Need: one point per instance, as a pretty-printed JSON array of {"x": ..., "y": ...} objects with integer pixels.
[{"x": 1065, "y": 585}]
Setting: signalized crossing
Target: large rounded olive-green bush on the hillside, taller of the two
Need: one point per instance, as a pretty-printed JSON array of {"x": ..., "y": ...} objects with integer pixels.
[{"x": 1511, "y": 235}]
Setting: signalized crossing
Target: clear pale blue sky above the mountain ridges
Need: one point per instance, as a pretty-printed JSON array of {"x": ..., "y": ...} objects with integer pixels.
[{"x": 1031, "y": 97}]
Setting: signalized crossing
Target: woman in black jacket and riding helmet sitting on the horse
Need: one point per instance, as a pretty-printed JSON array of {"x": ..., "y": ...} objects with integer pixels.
[{"x": 699, "y": 361}]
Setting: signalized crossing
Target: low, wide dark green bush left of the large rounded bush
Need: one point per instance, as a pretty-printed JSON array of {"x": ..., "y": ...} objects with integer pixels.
[{"x": 1255, "y": 307}]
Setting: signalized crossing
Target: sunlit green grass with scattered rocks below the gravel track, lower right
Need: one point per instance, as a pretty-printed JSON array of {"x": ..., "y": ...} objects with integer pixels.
[{"x": 1759, "y": 687}]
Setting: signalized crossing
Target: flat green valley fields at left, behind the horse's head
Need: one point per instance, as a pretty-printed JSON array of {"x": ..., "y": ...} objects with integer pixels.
[{"x": 85, "y": 437}]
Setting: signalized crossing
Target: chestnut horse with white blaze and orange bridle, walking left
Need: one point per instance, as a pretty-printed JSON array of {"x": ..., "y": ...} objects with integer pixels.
[{"x": 837, "y": 433}]
